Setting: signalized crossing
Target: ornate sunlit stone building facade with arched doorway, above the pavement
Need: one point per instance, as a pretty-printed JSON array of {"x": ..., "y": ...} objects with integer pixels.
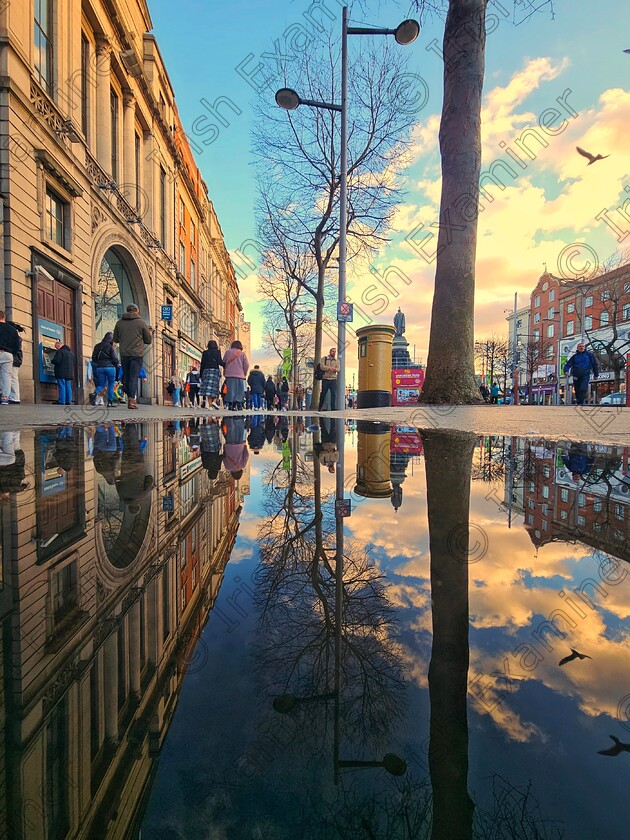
[{"x": 102, "y": 201}]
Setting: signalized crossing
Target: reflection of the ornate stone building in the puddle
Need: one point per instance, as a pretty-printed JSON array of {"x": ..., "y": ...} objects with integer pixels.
[{"x": 113, "y": 552}]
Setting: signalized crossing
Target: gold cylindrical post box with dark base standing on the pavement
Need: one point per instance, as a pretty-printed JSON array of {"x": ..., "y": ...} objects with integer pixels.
[{"x": 375, "y": 365}]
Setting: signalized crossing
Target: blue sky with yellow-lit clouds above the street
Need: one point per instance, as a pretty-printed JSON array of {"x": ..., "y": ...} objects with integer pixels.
[{"x": 560, "y": 71}]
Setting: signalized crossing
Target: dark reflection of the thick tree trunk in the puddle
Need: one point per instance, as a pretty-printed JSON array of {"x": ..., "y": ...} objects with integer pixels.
[{"x": 448, "y": 460}]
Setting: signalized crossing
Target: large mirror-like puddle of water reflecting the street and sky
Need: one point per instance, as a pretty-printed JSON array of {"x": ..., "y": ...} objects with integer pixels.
[{"x": 299, "y": 627}]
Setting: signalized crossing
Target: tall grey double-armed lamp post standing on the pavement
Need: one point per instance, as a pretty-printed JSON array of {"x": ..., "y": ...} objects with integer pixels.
[{"x": 287, "y": 98}]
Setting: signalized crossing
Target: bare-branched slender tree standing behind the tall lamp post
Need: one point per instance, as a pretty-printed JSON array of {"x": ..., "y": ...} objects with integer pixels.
[{"x": 298, "y": 161}]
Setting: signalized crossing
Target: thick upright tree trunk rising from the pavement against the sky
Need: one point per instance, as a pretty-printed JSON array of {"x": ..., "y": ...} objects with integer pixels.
[{"x": 450, "y": 363}]
